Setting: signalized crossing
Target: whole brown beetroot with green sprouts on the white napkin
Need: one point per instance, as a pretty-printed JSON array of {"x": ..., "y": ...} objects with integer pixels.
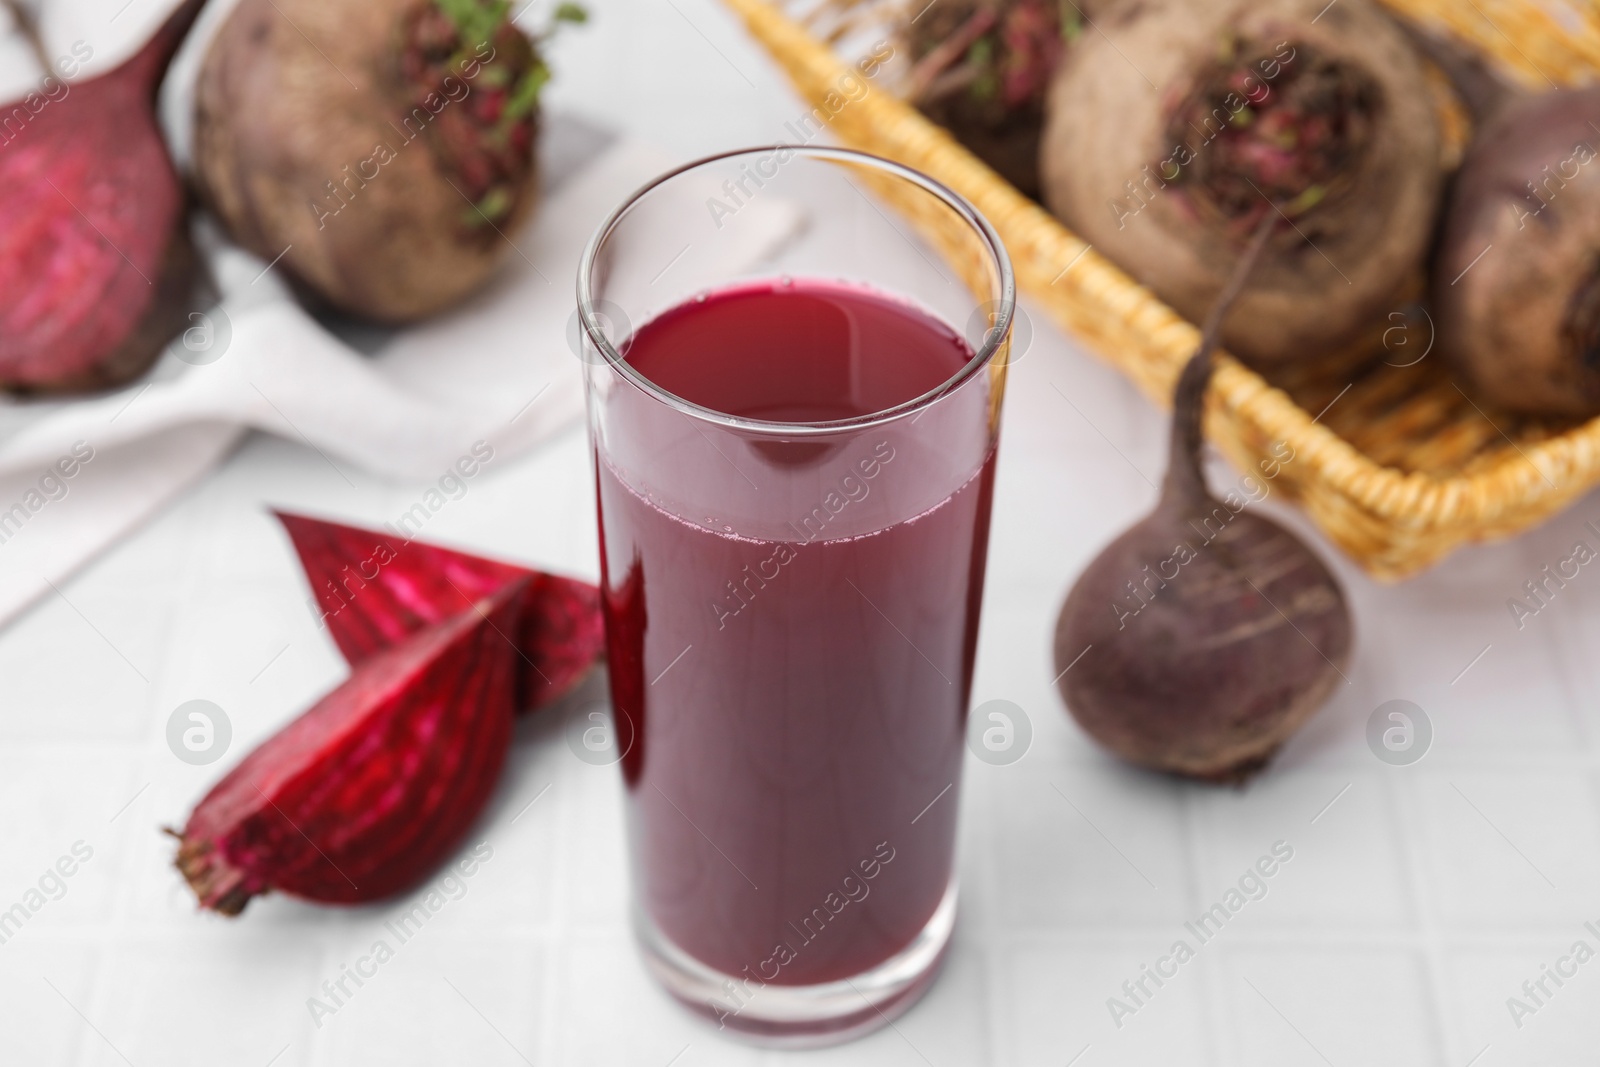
[{"x": 385, "y": 150}]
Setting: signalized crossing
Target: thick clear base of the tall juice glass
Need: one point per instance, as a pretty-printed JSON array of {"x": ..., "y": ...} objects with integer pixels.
[{"x": 802, "y": 1017}]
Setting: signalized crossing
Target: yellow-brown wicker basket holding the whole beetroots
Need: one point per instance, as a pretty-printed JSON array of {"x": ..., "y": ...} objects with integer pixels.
[{"x": 1404, "y": 468}]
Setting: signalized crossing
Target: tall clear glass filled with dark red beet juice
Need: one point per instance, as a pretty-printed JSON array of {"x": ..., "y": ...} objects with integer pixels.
[{"x": 794, "y": 470}]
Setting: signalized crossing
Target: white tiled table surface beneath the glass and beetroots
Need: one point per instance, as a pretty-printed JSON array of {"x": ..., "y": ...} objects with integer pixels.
[{"x": 1414, "y": 908}]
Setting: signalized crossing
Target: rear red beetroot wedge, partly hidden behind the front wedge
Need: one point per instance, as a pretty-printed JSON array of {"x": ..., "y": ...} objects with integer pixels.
[{"x": 375, "y": 591}]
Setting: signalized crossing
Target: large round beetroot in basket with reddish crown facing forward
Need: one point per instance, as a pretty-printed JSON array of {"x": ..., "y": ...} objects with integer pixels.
[{"x": 1172, "y": 130}]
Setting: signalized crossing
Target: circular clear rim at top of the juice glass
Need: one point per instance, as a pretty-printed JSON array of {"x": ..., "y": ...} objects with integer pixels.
[{"x": 588, "y": 310}]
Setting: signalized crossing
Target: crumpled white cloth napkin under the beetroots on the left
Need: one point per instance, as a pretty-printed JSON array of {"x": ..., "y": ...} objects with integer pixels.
[{"x": 79, "y": 474}]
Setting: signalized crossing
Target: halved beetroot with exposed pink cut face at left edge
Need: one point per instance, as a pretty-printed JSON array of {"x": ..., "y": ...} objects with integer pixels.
[{"x": 95, "y": 262}]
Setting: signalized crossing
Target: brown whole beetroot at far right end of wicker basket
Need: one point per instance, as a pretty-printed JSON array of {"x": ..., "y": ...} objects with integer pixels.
[{"x": 1518, "y": 279}]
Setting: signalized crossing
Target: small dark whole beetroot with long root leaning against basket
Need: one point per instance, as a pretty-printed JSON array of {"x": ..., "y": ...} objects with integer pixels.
[{"x": 1212, "y": 633}]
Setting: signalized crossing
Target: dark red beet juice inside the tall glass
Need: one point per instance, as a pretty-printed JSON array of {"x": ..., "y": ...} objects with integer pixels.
[{"x": 791, "y": 673}]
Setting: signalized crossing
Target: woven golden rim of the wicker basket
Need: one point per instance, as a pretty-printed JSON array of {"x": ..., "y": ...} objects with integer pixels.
[{"x": 1510, "y": 492}]
